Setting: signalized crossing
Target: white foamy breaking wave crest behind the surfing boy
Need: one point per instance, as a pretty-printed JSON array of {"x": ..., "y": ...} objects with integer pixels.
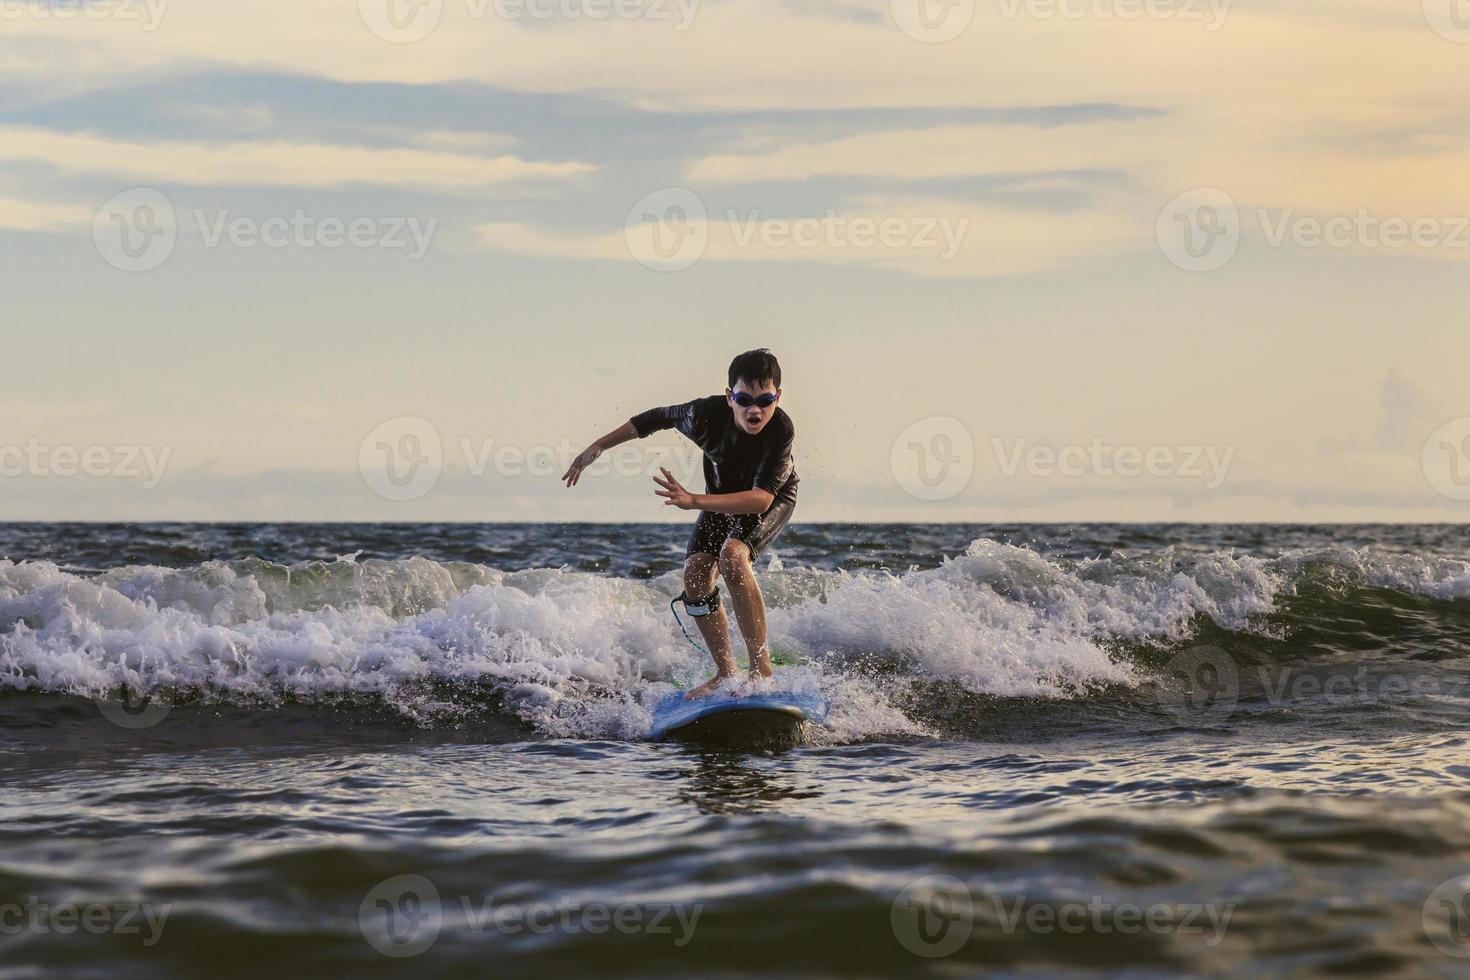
[{"x": 584, "y": 656}]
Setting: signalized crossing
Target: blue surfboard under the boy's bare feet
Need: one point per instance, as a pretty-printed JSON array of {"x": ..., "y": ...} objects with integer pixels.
[{"x": 755, "y": 719}]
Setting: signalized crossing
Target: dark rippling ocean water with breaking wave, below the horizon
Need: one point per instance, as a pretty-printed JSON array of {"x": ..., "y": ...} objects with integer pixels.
[{"x": 371, "y": 750}]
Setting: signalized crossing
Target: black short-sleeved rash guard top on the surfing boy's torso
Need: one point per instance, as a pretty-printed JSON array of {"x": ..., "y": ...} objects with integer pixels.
[{"x": 734, "y": 461}]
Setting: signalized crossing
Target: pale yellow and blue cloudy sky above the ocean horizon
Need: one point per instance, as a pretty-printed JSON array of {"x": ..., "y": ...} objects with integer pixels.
[{"x": 1021, "y": 259}]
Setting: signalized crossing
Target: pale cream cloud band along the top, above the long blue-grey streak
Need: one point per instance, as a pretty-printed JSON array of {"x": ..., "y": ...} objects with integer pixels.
[{"x": 775, "y": 54}]
